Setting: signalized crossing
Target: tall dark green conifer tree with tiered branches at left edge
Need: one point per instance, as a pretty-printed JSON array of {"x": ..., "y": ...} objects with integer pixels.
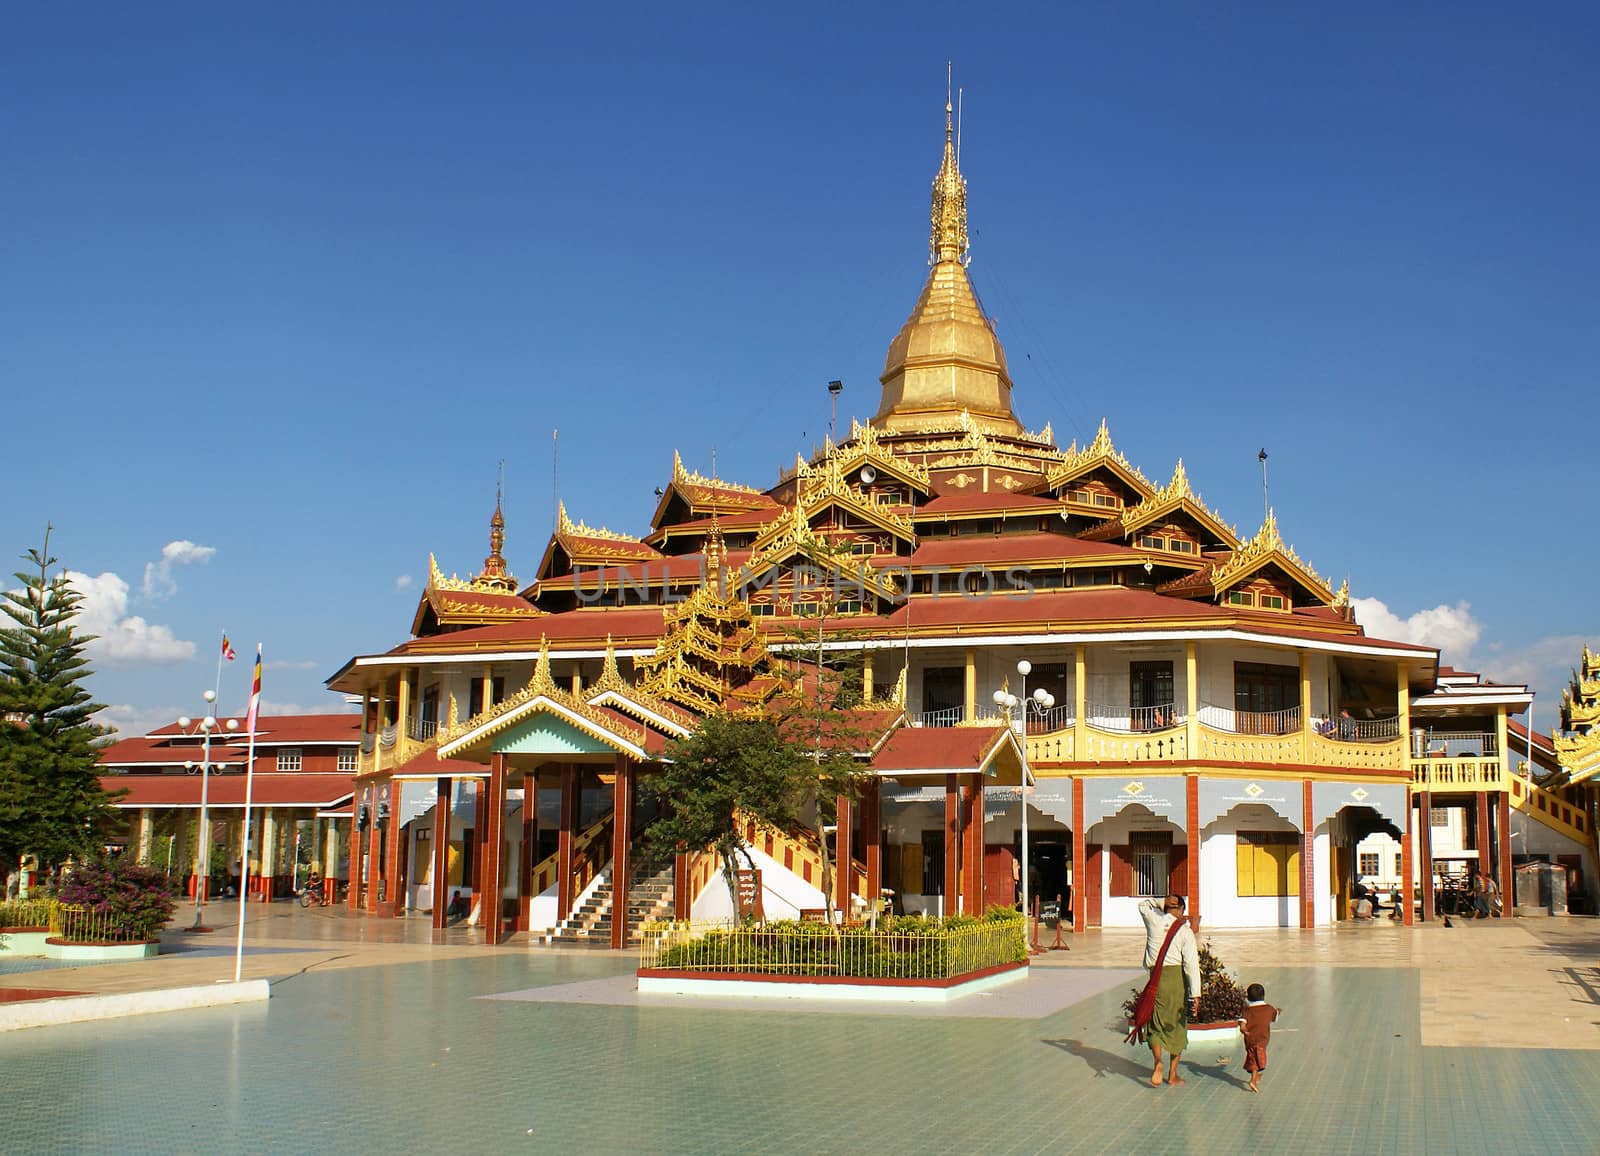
[{"x": 52, "y": 803}]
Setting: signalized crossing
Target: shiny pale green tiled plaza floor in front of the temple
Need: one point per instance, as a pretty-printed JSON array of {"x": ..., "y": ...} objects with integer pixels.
[{"x": 410, "y": 1059}]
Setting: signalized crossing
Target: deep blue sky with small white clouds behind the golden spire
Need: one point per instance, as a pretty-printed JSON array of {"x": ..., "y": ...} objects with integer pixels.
[{"x": 279, "y": 289}]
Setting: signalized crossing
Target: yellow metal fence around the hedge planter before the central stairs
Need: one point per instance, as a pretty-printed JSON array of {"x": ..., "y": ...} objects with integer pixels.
[{"x": 919, "y": 952}]
